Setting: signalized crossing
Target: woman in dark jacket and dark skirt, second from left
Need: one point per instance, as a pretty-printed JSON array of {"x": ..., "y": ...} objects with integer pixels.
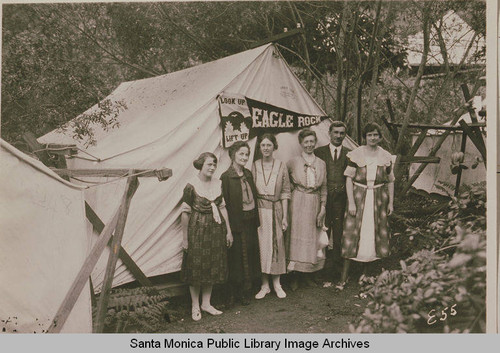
[{"x": 240, "y": 194}]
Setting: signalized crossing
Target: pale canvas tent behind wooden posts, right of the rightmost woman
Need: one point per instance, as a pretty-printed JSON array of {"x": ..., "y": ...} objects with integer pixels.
[{"x": 434, "y": 174}]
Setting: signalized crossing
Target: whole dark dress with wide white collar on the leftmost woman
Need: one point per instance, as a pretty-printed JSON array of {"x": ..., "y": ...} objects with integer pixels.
[{"x": 205, "y": 261}]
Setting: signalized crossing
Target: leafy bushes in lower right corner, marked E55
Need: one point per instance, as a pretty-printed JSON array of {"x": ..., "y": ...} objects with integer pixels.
[{"x": 419, "y": 296}]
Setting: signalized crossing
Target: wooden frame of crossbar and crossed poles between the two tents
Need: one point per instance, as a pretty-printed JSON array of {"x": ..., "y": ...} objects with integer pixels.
[{"x": 109, "y": 234}]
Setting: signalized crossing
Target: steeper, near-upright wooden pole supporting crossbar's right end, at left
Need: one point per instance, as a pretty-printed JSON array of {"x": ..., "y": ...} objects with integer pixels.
[{"x": 102, "y": 307}]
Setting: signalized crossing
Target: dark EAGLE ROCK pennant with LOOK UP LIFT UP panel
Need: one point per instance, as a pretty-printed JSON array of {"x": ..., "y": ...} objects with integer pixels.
[{"x": 243, "y": 118}]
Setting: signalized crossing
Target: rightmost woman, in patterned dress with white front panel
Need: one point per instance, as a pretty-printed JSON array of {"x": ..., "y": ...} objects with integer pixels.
[{"x": 370, "y": 195}]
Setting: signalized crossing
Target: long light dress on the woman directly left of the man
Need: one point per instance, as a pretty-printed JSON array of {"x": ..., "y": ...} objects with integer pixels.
[{"x": 309, "y": 191}]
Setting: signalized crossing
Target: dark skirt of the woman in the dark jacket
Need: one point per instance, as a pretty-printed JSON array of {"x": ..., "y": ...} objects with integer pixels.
[{"x": 243, "y": 256}]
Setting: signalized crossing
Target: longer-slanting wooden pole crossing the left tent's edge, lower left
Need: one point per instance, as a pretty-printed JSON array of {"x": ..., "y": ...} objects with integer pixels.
[{"x": 82, "y": 277}]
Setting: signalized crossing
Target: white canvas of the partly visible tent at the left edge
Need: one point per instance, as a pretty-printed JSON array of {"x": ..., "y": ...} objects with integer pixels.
[{"x": 44, "y": 243}]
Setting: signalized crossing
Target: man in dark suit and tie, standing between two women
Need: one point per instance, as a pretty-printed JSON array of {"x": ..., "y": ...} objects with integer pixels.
[{"x": 334, "y": 155}]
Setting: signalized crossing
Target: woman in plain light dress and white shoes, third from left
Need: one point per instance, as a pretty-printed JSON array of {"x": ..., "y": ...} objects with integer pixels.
[{"x": 273, "y": 191}]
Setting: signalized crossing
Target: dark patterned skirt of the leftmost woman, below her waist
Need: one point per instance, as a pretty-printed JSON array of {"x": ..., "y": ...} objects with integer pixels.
[{"x": 205, "y": 261}]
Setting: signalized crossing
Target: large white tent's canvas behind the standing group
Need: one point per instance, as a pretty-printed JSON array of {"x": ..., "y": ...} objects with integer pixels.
[{"x": 170, "y": 120}]
